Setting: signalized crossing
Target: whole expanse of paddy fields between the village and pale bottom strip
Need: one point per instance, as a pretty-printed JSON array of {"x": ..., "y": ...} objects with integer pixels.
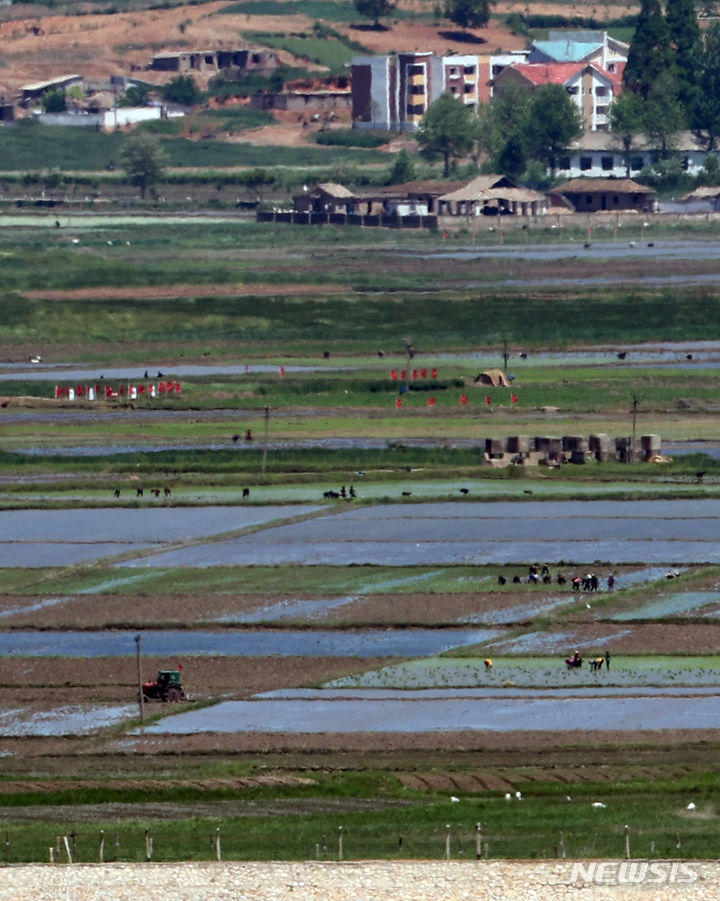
[{"x": 370, "y": 616}]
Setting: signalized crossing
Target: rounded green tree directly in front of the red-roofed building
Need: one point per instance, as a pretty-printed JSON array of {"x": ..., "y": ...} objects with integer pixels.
[{"x": 553, "y": 122}]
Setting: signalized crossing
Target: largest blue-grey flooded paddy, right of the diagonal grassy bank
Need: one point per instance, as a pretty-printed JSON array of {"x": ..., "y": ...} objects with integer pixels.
[{"x": 445, "y": 533}]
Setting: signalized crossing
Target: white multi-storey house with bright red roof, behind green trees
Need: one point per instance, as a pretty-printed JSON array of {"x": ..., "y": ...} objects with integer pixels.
[{"x": 592, "y": 88}]
